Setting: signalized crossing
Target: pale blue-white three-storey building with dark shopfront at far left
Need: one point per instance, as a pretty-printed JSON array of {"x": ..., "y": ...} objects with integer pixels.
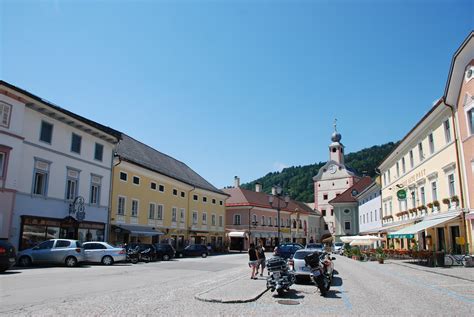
[{"x": 52, "y": 161}]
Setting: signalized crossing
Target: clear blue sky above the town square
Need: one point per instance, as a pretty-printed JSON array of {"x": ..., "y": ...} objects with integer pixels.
[{"x": 237, "y": 87}]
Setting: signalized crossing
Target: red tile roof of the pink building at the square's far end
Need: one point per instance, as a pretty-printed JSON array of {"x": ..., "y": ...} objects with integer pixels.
[{"x": 245, "y": 197}]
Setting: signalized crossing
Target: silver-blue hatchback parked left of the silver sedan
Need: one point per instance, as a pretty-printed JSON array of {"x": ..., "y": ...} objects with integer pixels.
[{"x": 54, "y": 251}]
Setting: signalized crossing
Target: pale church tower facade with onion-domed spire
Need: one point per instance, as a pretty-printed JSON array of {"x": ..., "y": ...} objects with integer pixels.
[{"x": 332, "y": 180}]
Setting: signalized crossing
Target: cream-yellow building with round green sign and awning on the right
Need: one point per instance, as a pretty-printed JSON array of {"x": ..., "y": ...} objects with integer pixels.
[{"x": 421, "y": 186}]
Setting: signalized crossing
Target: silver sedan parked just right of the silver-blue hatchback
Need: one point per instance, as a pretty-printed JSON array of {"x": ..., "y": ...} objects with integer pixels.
[{"x": 102, "y": 252}]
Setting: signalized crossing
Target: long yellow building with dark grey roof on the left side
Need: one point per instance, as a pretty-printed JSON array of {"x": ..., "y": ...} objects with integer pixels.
[{"x": 157, "y": 198}]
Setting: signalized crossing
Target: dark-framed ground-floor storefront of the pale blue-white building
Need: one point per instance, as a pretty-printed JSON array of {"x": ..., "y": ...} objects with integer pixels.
[{"x": 37, "y": 229}]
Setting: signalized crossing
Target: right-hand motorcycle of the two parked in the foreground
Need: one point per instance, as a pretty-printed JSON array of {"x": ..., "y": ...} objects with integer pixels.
[{"x": 322, "y": 270}]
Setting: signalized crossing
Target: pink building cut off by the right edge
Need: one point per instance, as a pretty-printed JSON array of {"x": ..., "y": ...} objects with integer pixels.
[{"x": 459, "y": 95}]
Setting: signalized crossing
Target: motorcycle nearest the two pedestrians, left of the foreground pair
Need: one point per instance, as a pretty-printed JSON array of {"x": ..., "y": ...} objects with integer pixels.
[{"x": 280, "y": 278}]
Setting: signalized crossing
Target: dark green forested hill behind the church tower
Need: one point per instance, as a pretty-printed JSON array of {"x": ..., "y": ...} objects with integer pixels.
[{"x": 298, "y": 180}]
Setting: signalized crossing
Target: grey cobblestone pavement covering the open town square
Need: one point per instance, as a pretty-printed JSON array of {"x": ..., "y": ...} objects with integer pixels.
[{"x": 168, "y": 288}]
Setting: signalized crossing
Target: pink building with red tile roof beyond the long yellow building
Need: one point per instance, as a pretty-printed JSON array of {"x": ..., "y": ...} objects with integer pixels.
[{"x": 251, "y": 218}]
